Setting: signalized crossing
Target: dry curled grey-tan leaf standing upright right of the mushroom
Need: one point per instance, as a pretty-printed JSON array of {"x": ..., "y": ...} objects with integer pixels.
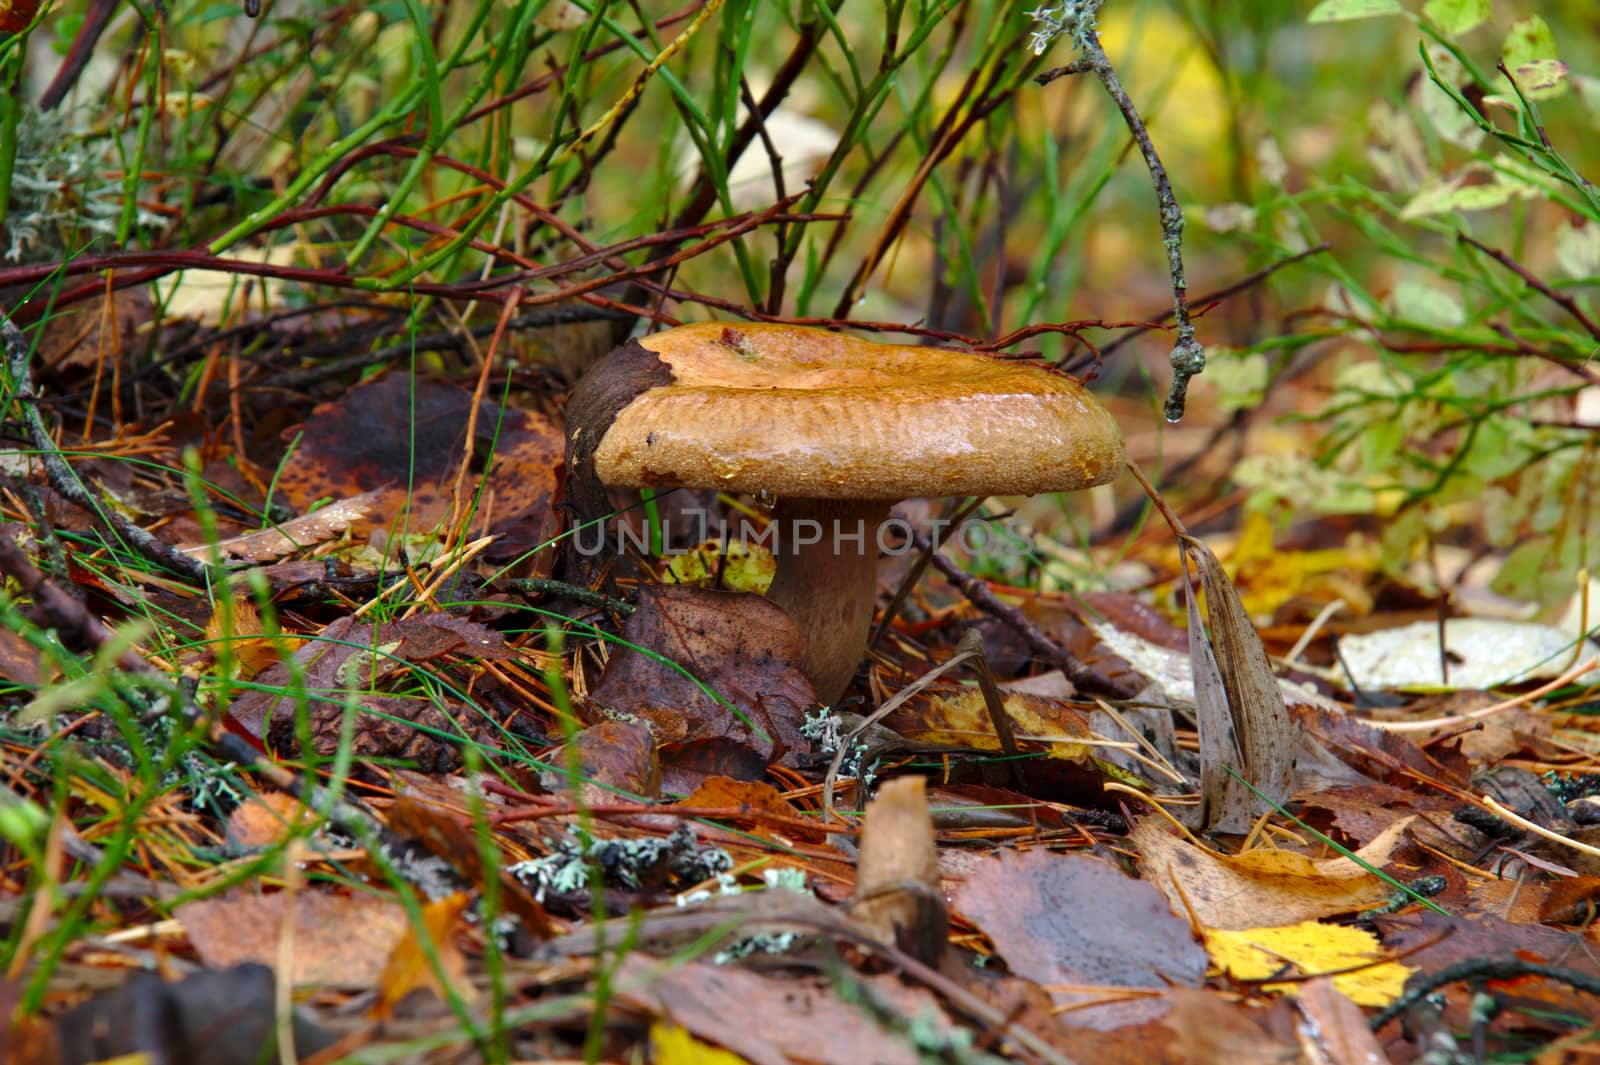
[{"x": 1252, "y": 728}]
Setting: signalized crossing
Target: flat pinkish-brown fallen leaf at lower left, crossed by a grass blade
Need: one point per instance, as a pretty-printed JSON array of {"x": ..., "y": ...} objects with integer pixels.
[{"x": 340, "y": 939}]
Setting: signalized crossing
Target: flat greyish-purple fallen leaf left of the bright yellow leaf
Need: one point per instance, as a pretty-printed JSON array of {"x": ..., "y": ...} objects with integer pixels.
[{"x": 1086, "y": 931}]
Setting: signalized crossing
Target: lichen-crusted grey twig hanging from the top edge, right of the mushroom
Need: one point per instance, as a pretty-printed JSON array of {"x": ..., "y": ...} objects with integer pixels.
[{"x": 1076, "y": 20}]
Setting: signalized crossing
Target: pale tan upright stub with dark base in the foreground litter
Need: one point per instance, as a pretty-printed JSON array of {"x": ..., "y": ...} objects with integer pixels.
[{"x": 898, "y": 896}]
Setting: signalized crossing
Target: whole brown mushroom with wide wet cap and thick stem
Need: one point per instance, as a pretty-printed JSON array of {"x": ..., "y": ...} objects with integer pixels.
[{"x": 838, "y": 429}]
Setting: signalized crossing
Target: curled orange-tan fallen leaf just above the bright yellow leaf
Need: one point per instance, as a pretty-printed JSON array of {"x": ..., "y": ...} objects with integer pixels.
[{"x": 1260, "y": 887}]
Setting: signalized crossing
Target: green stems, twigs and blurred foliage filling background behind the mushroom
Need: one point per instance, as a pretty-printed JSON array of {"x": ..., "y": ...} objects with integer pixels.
[{"x": 1425, "y": 362}]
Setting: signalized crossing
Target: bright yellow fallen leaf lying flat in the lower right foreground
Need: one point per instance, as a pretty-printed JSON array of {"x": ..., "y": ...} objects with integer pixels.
[{"x": 1310, "y": 949}]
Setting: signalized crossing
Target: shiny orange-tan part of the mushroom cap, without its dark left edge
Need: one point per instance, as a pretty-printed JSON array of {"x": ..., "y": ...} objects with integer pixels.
[{"x": 822, "y": 415}]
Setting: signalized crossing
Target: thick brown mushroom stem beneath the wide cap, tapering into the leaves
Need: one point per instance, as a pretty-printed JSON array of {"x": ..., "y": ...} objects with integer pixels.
[{"x": 828, "y": 583}]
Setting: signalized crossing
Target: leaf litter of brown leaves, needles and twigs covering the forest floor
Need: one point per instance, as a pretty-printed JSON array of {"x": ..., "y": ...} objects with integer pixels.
[{"x": 433, "y": 780}]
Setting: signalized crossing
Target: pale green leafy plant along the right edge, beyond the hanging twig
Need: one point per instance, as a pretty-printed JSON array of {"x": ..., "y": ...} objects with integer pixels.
[{"x": 1465, "y": 367}]
